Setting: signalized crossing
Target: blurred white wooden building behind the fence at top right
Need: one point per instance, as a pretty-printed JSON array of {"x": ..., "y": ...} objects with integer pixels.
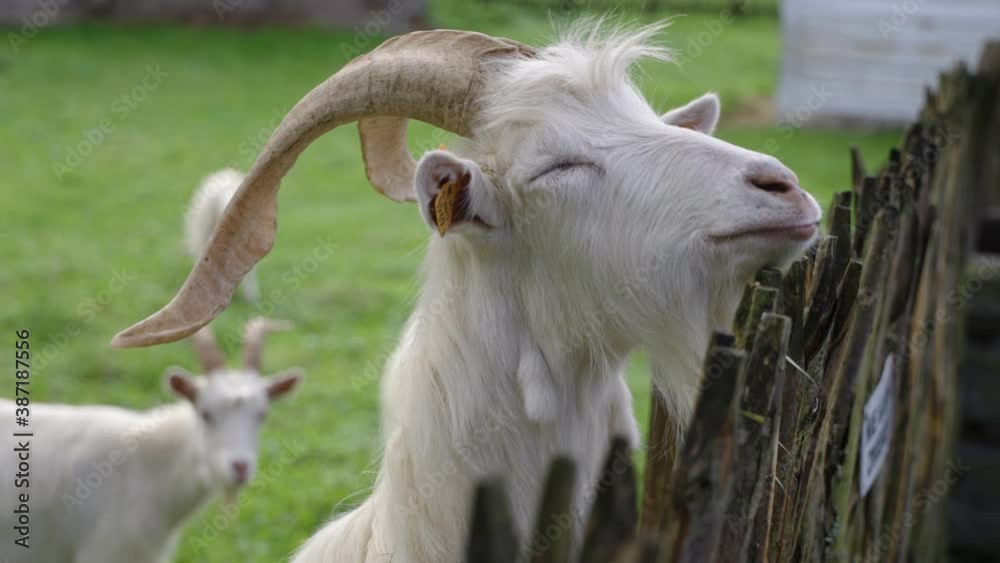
[{"x": 870, "y": 60}]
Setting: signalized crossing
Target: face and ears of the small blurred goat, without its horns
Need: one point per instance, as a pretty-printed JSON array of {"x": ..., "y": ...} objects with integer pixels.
[{"x": 231, "y": 406}]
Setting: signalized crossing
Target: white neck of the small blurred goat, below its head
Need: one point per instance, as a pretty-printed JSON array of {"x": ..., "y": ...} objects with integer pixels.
[{"x": 173, "y": 454}]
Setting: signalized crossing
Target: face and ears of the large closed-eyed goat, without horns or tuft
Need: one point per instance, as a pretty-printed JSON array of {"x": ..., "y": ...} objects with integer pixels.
[{"x": 649, "y": 211}]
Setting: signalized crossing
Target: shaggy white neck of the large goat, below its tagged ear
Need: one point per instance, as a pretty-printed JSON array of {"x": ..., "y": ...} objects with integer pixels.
[{"x": 455, "y": 392}]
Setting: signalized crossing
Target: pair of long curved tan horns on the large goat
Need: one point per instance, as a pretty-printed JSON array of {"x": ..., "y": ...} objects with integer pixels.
[{"x": 433, "y": 76}]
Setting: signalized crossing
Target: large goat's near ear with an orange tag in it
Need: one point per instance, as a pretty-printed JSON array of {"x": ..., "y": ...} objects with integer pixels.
[{"x": 453, "y": 193}]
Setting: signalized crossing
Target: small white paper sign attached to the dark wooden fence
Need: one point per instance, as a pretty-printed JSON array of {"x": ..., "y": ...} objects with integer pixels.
[{"x": 876, "y": 432}]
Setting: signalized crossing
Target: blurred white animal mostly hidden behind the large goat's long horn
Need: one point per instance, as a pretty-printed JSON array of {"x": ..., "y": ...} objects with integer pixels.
[{"x": 203, "y": 214}]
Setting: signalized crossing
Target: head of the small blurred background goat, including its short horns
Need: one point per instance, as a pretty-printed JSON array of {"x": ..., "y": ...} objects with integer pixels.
[{"x": 232, "y": 403}]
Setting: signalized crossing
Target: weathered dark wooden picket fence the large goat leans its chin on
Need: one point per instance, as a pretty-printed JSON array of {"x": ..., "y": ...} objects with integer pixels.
[{"x": 781, "y": 462}]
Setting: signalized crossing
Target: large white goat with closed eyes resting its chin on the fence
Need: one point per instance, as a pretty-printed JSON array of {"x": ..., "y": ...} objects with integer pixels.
[{"x": 584, "y": 226}]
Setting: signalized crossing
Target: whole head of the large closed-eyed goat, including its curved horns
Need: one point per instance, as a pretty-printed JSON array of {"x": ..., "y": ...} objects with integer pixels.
[{"x": 570, "y": 170}]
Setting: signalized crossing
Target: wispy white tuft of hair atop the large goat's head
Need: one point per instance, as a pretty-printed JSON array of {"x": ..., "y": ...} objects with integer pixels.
[{"x": 591, "y": 58}]
